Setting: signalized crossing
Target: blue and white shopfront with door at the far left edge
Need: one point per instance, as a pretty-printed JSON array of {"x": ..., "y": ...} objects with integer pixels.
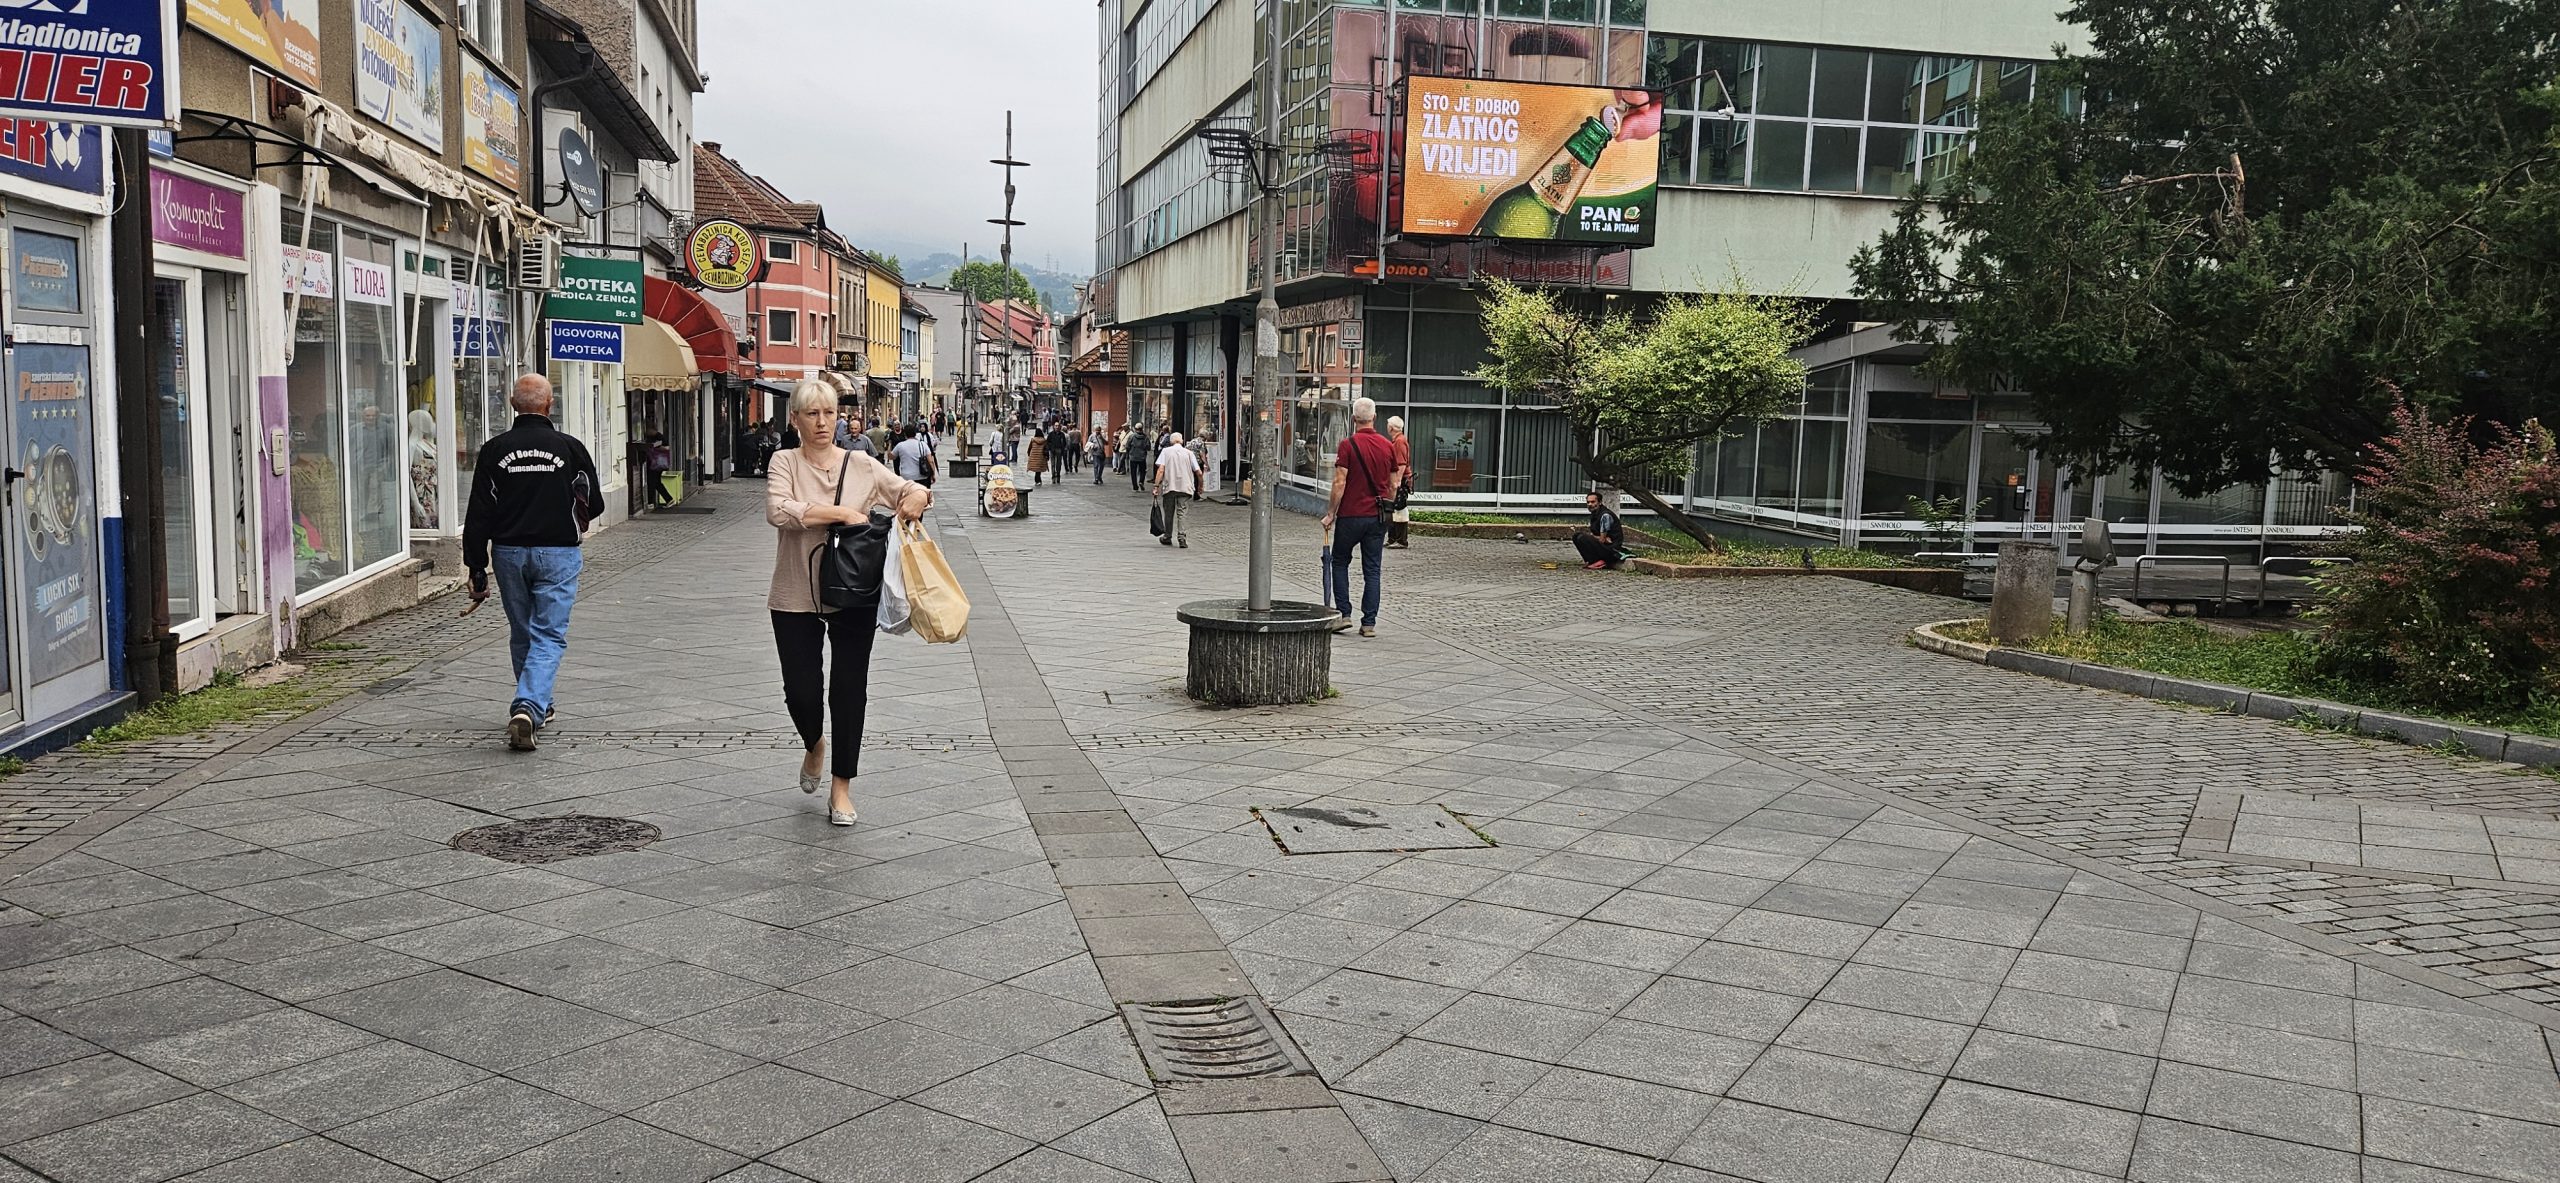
[{"x": 60, "y": 539}]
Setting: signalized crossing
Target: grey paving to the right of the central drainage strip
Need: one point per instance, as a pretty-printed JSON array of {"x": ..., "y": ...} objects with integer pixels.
[{"x": 1788, "y": 900}]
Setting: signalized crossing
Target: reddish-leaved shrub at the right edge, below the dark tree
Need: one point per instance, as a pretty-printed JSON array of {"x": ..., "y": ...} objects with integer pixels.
[{"x": 2456, "y": 588}]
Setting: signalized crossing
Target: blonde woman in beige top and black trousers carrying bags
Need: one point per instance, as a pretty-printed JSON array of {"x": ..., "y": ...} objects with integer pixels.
[{"x": 808, "y": 490}]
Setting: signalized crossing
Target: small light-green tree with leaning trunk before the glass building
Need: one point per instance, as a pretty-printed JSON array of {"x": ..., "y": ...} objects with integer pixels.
[{"x": 1645, "y": 393}]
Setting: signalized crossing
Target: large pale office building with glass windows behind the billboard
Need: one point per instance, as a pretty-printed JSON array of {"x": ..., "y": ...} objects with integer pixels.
[{"x": 1780, "y": 157}]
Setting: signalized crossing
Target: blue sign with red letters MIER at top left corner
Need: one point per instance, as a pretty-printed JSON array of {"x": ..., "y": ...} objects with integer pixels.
[{"x": 91, "y": 63}]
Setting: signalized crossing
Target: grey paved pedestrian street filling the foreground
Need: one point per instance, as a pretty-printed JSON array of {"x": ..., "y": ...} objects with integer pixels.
[{"x": 1773, "y": 897}]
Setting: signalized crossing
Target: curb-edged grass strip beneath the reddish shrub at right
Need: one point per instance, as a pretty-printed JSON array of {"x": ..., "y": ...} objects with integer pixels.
[{"x": 2272, "y": 662}]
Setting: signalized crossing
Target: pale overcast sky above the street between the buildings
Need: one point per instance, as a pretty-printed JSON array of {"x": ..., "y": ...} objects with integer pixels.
[{"x": 890, "y": 111}]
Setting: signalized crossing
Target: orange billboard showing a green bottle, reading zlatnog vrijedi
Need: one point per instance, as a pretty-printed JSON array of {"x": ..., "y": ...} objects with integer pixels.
[{"x": 1530, "y": 163}]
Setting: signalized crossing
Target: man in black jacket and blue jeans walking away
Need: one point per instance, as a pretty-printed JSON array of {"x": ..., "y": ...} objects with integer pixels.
[{"x": 531, "y": 498}]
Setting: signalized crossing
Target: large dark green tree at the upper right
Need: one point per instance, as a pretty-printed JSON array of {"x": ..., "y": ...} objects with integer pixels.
[{"x": 2228, "y": 234}]
